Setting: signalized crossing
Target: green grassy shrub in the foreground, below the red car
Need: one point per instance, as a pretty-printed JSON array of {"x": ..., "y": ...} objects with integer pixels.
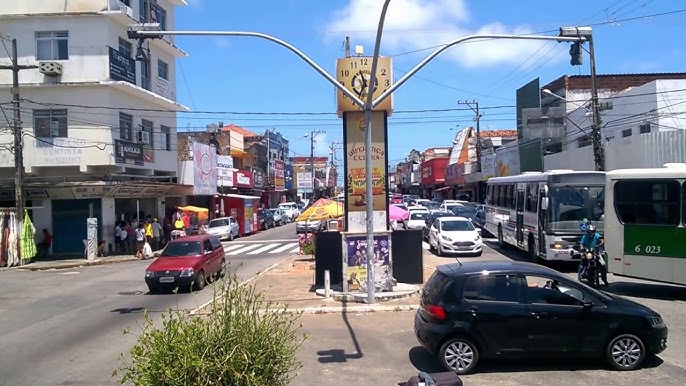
[{"x": 246, "y": 340}]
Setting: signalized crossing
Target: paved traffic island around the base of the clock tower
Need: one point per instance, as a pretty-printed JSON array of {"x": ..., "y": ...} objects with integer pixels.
[{"x": 291, "y": 284}]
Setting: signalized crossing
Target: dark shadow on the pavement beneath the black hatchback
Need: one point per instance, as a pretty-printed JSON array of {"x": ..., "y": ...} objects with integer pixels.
[{"x": 422, "y": 360}]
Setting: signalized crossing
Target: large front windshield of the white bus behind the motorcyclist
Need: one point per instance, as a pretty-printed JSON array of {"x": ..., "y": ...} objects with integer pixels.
[{"x": 569, "y": 205}]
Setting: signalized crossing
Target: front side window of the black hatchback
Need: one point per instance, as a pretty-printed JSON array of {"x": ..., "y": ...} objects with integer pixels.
[{"x": 546, "y": 290}]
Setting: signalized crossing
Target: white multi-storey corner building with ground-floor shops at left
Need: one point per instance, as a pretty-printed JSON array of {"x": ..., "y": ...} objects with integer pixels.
[{"x": 99, "y": 127}]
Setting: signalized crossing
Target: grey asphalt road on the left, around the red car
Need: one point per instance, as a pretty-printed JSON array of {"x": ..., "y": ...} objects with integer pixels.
[{"x": 65, "y": 327}]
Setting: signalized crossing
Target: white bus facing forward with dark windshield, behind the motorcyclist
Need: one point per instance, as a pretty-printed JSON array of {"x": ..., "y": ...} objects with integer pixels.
[{"x": 541, "y": 212}]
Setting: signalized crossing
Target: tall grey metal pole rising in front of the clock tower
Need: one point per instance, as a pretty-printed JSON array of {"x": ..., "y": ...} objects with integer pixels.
[{"x": 369, "y": 199}]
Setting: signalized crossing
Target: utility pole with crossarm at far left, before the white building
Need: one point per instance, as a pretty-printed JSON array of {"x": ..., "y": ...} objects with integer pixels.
[{"x": 18, "y": 142}]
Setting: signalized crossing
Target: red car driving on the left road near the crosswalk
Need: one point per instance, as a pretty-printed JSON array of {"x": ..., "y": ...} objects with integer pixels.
[{"x": 187, "y": 262}]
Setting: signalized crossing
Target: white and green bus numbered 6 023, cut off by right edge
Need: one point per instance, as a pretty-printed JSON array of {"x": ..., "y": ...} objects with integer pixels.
[{"x": 645, "y": 233}]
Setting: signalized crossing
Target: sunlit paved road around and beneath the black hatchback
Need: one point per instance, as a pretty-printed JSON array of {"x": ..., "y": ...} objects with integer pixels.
[{"x": 381, "y": 348}]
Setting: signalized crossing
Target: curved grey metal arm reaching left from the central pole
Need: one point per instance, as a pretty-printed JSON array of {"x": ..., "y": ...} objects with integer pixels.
[{"x": 290, "y": 47}]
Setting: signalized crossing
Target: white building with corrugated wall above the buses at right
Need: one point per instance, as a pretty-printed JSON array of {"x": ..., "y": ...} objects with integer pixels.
[{"x": 645, "y": 127}]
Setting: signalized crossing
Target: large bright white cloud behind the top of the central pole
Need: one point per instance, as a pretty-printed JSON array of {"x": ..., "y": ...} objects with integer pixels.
[{"x": 417, "y": 24}]
